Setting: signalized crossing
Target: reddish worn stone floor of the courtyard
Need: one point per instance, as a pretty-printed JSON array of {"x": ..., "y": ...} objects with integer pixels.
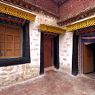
[{"x": 53, "y": 83}]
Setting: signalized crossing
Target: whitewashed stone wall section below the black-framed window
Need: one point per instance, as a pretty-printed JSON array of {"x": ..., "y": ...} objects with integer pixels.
[{"x": 13, "y": 74}]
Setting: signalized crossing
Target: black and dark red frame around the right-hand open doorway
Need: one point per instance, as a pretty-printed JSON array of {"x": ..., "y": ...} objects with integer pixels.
[{"x": 76, "y": 37}]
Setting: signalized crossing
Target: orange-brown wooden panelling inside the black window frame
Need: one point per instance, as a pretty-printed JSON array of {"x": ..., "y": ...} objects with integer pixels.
[{"x": 10, "y": 41}]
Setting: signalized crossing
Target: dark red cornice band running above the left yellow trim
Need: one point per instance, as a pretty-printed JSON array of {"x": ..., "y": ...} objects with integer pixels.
[{"x": 28, "y": 5}]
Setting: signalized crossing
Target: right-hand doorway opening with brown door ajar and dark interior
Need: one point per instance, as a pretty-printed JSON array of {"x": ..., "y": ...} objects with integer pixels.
[{"x": 88, "y": 58}]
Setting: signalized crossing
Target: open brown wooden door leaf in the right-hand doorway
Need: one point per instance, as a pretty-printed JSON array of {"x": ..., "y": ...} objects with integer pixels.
[{"x": 88, "y": 62}]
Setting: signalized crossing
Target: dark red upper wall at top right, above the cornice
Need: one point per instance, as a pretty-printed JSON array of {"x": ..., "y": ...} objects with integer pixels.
[{"x": 74, "y": 7}]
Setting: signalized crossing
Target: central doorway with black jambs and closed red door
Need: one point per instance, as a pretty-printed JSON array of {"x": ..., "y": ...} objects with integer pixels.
[{"x": 49, "y": 52}]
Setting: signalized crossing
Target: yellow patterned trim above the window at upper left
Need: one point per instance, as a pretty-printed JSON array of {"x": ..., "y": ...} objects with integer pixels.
[{"x": 16, "y": 12}]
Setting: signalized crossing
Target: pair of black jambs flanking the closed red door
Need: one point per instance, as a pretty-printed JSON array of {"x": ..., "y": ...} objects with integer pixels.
[{"x": 56, "y": 53}]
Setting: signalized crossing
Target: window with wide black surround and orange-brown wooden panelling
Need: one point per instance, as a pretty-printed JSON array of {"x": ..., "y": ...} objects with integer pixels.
[{"x": 14, "y": 44}]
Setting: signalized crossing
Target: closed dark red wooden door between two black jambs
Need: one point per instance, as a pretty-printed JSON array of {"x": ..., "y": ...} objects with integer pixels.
[{"x": 48, "y": 51}]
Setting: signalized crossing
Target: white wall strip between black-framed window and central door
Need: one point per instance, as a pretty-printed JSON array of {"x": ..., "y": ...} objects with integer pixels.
[{"x": 35, "y": 36}]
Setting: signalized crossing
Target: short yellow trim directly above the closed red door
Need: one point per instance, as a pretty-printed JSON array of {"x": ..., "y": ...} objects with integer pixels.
[{"x": 52, "y": 29}]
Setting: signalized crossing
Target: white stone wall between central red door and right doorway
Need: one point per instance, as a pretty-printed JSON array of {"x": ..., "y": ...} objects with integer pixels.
[{"x": 65, "y": 51}]
